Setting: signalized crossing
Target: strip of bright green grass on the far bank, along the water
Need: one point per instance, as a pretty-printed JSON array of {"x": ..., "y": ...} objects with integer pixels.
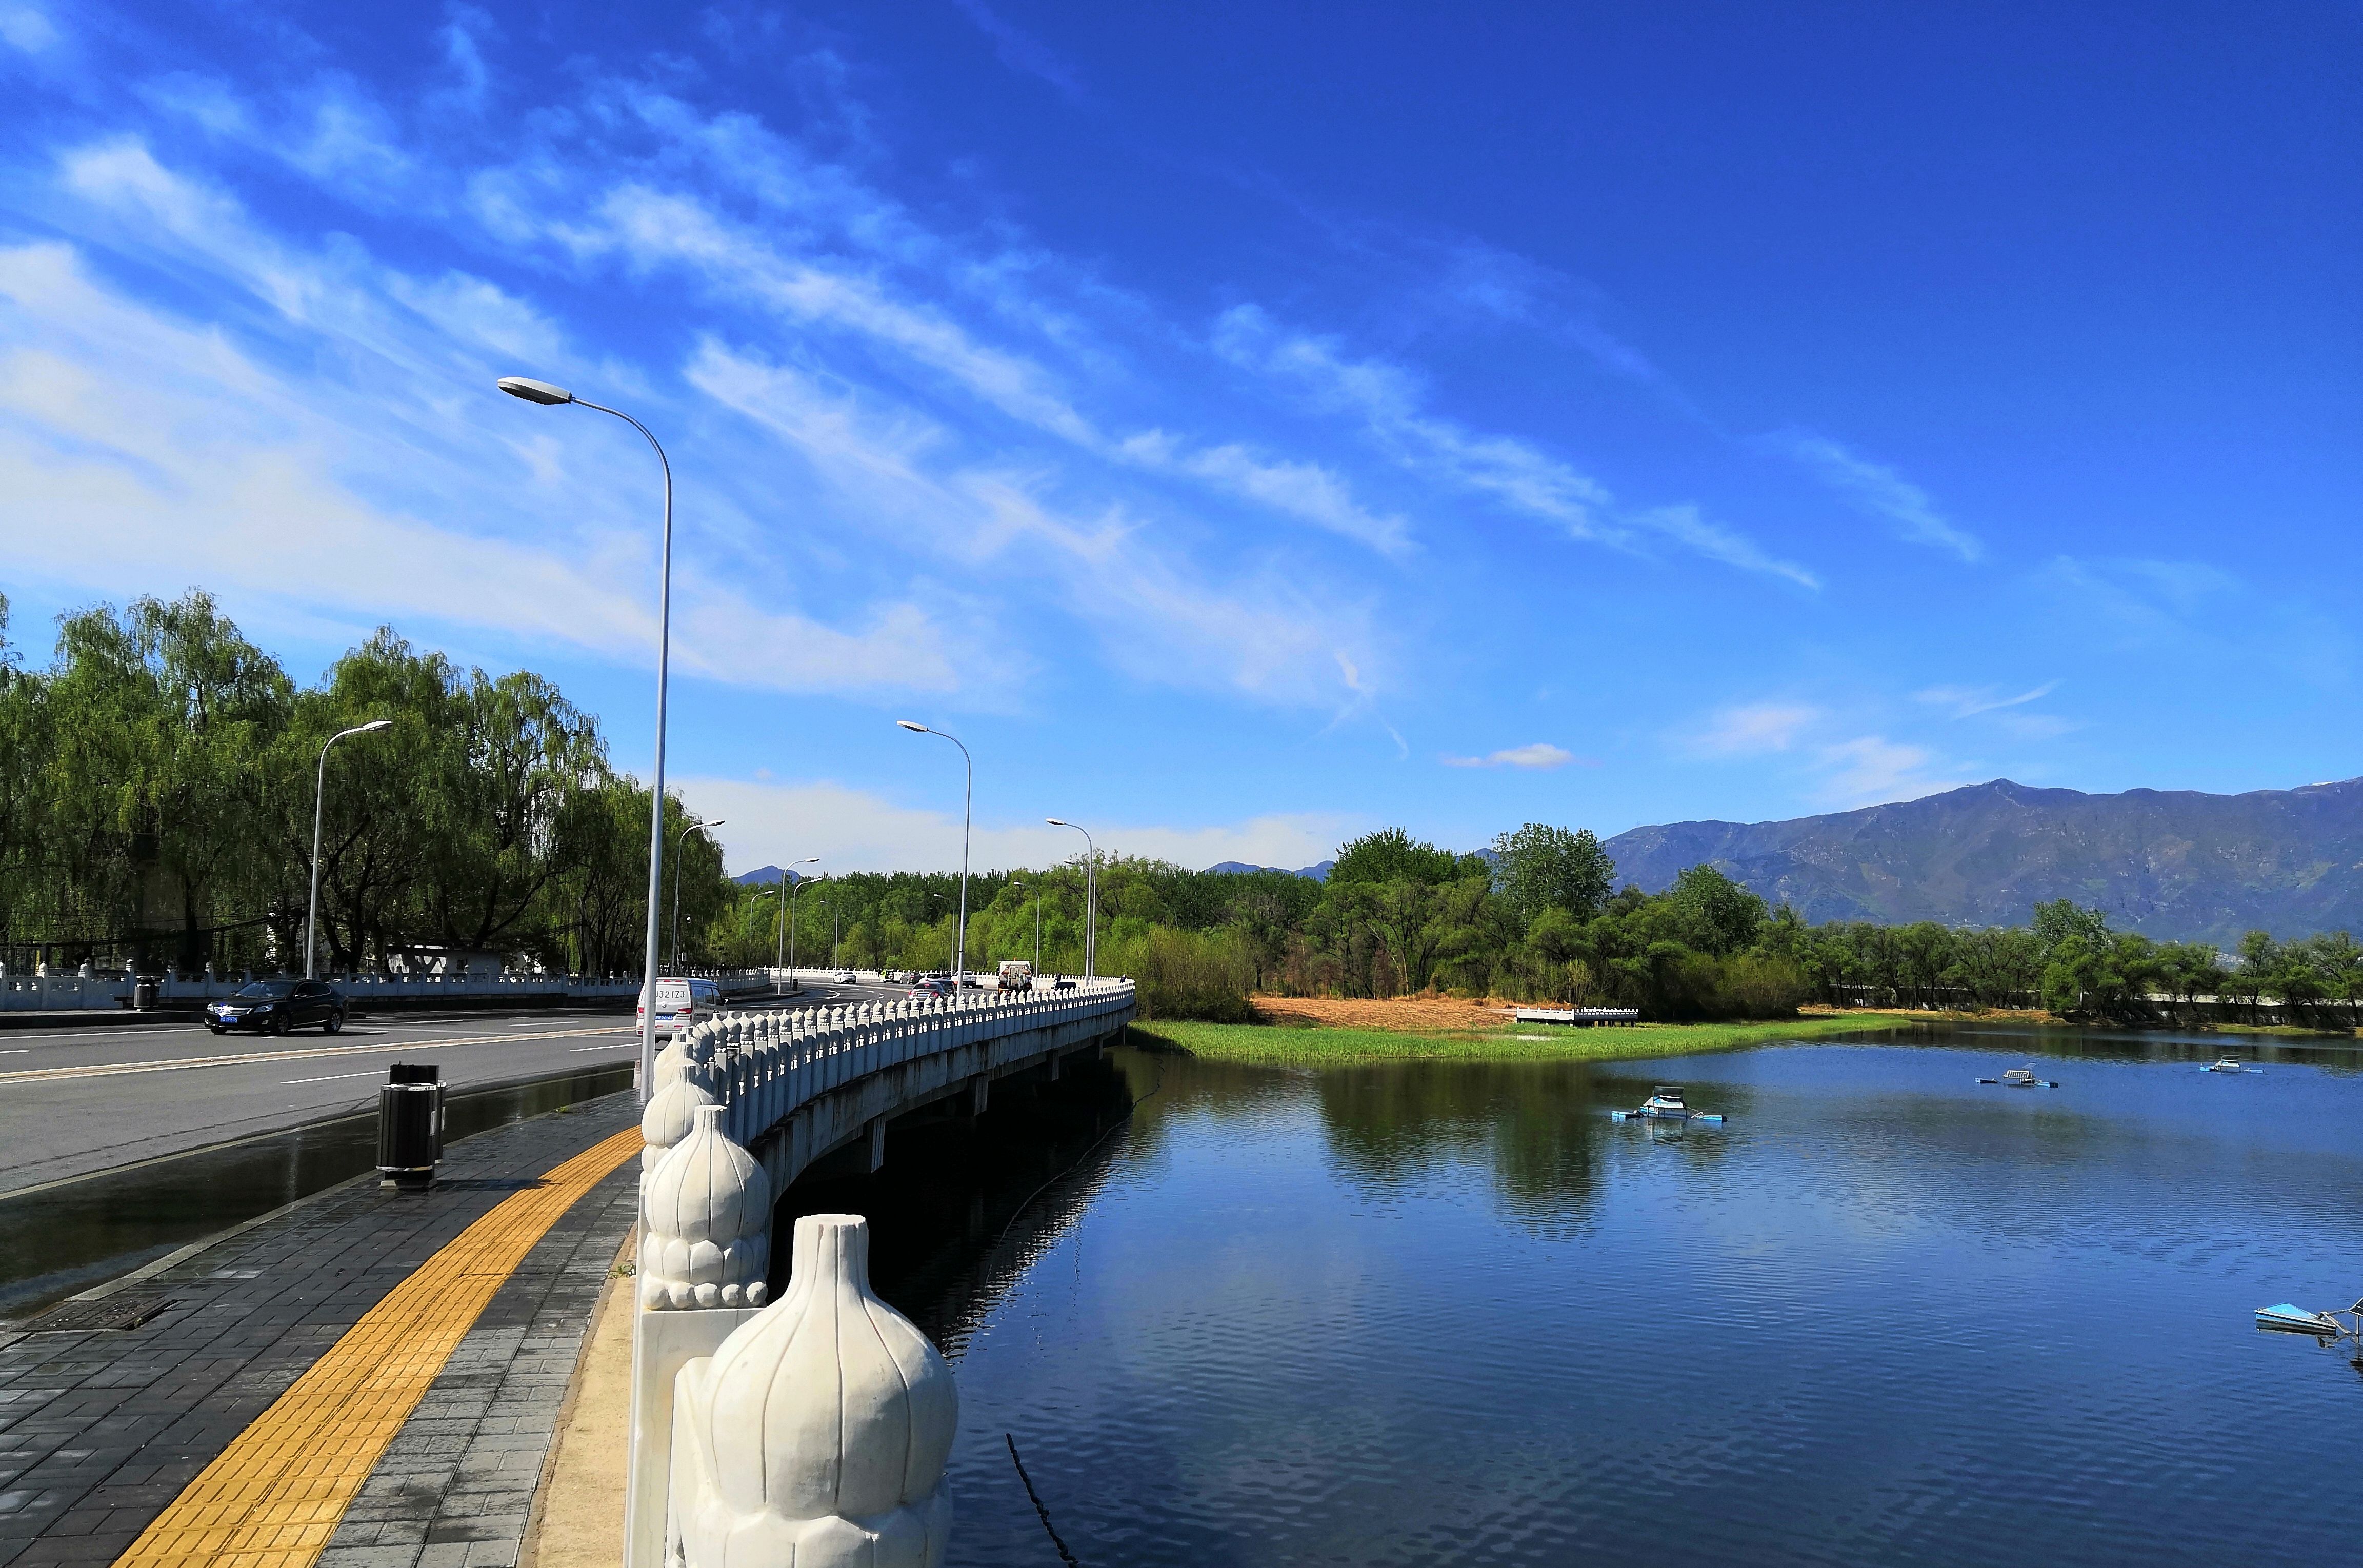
[{"x": 1298, "y": 1047}]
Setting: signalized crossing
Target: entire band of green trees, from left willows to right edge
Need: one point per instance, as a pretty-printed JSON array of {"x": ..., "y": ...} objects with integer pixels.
[{"x": 157, "y": 788}]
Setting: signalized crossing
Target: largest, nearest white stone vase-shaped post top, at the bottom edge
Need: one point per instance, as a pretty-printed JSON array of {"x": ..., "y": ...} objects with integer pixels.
[{"x": 816, "y": 1435}]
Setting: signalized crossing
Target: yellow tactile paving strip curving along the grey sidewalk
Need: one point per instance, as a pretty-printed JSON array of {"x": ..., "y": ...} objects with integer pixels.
[{"x": 278, "y": 1494}]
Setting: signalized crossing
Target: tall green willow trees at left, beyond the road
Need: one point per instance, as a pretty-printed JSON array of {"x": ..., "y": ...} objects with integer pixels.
[{"x": 157, "y": 799}]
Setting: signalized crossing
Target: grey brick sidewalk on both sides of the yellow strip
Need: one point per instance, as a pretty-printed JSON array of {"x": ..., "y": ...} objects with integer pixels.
[{"x": 103, "y": 1430}]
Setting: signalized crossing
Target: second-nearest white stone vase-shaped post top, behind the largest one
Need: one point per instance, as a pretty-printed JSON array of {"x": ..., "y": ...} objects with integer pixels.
[{"x": 708, "y": 1210}]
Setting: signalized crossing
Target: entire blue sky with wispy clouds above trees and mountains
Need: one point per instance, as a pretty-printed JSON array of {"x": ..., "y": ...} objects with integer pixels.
[{"x": 1239, "y": 424}]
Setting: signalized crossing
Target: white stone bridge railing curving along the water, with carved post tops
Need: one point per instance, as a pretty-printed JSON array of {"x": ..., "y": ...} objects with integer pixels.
[{"x": 812, "y": 1430}]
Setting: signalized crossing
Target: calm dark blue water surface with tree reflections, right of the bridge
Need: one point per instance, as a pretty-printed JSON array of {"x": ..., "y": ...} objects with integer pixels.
[{"x": 1452, "y": 1314}]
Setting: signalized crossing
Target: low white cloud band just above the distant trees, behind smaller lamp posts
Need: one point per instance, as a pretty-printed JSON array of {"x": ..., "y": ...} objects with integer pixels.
[{"x": 854, "y": 830}]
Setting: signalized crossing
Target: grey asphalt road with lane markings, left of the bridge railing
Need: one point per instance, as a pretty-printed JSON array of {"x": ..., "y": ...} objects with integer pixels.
[{"x": 82, "y": 1102}]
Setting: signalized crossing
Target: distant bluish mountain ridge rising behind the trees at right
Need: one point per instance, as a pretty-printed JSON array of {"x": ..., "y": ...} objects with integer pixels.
[{"x": 2168, "y": 863}]
